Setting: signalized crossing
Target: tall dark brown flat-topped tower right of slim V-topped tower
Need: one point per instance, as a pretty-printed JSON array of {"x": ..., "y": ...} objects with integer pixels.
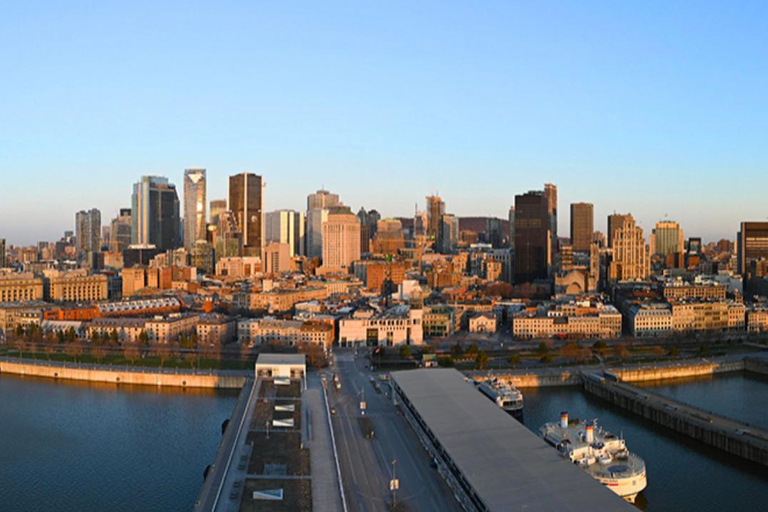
[{"x": 246, "y": 200}]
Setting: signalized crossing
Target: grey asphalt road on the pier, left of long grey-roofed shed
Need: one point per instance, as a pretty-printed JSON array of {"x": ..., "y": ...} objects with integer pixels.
[{"x": 366, "y": 465}]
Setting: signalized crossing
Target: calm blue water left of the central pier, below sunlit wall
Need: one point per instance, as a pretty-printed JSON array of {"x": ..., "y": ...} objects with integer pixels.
[{"x": 83, "y": 447}]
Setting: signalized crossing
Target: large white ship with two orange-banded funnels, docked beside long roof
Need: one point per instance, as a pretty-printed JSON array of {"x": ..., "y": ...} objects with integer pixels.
[{"x": 601, "y": 454}]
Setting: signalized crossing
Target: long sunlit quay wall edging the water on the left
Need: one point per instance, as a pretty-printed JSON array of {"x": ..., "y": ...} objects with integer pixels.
[{"x": 125, "y": 375}]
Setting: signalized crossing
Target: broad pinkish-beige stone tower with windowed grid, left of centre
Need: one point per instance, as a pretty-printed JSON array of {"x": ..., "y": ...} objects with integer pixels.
[{"x": 341, "y": 238}]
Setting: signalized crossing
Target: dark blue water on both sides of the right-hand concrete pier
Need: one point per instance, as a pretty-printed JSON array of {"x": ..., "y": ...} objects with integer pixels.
[{"x": 682, "y": 474}]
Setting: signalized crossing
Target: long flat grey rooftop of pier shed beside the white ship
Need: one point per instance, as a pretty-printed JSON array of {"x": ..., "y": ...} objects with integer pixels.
[{"x": 508, "y": 466}]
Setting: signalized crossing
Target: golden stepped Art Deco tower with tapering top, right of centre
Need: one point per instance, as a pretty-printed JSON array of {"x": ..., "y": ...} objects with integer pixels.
[{"x": 630, "y": 259}]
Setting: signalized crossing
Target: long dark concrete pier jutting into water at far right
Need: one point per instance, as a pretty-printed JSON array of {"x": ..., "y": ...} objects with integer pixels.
[{"x": 737, "y": 438}]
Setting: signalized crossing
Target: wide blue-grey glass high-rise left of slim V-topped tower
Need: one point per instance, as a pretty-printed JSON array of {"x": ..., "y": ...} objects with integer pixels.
[{"x": 155, "y": 213}]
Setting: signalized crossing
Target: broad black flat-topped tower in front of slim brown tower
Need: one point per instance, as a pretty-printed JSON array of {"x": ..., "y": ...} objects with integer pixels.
[{"x": 533, "y": 237}]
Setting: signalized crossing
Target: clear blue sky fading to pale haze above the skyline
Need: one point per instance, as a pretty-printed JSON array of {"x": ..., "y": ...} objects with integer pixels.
[{"x": 656, "y": 108}]
